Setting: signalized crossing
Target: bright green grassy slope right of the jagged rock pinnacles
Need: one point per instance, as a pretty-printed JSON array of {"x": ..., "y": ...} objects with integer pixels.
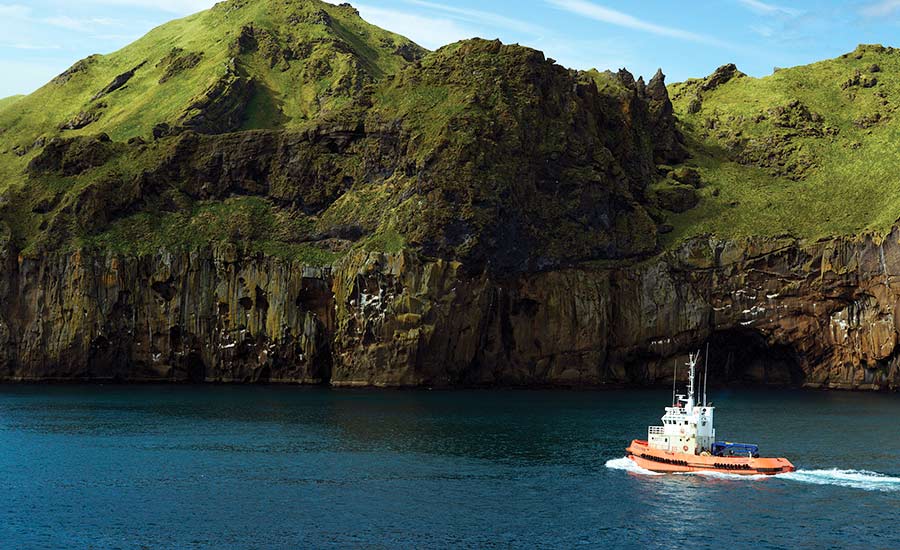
[{"x": 809, "y": 151}]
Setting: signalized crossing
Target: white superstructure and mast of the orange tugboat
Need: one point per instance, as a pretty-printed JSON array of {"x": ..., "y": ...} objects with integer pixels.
[{"x": 687, "y": 426}]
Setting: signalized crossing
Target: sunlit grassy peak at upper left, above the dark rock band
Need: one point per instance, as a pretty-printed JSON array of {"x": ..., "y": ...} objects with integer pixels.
[{"x": 280, "y": 64}]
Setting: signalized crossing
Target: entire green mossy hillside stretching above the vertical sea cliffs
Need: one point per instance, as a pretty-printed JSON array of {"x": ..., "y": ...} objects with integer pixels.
[{"x": 294, "y": 128}]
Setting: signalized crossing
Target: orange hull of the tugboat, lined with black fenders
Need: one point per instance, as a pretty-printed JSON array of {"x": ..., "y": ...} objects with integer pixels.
[{"x": 662, "y": 461}]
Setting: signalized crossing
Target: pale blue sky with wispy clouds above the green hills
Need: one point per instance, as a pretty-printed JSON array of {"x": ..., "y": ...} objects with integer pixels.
[{"x": 40, "y": 38}]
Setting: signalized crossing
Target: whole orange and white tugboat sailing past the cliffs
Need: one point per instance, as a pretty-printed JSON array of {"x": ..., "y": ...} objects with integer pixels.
[{"x": 686, "y": 442}]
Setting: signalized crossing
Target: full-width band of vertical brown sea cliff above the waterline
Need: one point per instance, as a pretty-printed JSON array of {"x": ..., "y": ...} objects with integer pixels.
[{"x": 776, "y": 312}]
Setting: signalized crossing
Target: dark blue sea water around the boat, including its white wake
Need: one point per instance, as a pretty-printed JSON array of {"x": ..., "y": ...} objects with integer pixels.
[{"x": 284, "y": 467}]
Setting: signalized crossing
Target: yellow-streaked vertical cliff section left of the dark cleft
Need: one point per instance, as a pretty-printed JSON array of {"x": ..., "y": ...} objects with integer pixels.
[{"x": 210, "y": 316}]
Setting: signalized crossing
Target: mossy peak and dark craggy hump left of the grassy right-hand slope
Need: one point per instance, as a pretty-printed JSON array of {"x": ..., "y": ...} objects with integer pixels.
[{"x": 296, "y": 129}]
